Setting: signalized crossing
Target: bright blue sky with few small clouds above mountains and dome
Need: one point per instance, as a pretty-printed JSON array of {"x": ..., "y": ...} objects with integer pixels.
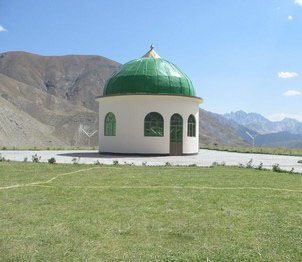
[{"x": 240, "y": 54}]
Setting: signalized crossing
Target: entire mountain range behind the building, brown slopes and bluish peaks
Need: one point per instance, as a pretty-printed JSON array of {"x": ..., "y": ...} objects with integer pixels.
[{"x": 46, "y": 101}]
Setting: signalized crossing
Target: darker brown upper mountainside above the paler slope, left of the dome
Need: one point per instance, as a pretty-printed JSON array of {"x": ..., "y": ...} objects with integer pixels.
[{"x": 75, "y": 78}]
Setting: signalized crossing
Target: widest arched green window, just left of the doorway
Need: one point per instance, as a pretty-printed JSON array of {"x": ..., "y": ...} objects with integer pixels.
[{"x": 154, "y": 124}]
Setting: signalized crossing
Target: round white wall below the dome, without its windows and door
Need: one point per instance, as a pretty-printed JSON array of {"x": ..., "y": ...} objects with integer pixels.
[{"x": 130, "y": 112}]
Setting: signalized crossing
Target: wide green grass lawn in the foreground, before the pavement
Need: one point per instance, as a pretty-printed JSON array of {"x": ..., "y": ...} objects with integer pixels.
[{"x": 109, "y": 213}]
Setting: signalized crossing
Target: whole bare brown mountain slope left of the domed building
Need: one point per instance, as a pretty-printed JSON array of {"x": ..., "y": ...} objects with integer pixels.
[{"x": 56, "y": 93}]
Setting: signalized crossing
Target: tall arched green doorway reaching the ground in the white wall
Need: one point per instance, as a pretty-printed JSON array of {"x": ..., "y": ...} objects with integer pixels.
[{"x": 176, "y": 131}]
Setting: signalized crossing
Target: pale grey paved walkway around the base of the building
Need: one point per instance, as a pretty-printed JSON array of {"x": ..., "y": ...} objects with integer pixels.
[{"x": 204, "y": 158}]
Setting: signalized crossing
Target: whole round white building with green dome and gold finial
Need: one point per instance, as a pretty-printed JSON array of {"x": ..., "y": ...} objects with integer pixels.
[{"x": 149, "y": 107}]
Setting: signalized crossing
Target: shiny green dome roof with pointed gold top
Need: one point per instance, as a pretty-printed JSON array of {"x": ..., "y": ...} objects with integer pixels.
[{"x": 149, "y": 75}]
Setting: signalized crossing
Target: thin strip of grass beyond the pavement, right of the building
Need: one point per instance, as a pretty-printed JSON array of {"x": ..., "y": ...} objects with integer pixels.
[{"x": 257, "y": 150}]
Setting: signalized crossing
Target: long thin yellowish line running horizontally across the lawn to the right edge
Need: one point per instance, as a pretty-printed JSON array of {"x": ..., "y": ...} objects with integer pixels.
[{"x": 174, "y": 187}]
